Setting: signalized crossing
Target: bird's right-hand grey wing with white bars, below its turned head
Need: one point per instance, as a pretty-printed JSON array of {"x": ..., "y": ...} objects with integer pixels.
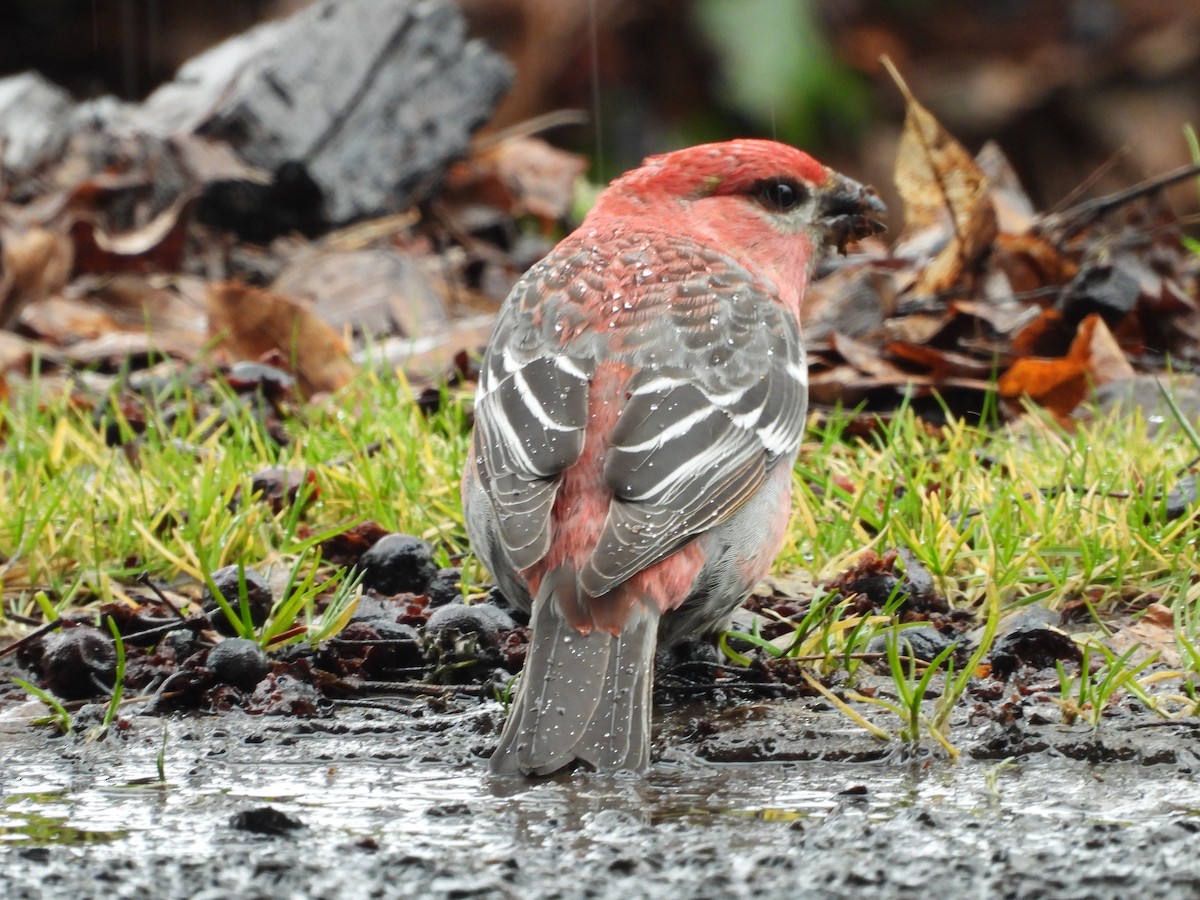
[{"x": 719, "y": 395}]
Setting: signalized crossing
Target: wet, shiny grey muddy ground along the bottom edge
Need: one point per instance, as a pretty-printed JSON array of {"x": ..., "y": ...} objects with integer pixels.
[{"x": 745, "y": 800}]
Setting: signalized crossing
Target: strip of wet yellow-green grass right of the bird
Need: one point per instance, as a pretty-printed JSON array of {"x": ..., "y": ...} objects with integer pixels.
[{"x": 1033, "y": 512}]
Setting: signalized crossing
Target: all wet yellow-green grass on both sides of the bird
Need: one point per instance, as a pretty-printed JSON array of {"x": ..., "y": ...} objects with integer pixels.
[{"x": 999, "y": 518}]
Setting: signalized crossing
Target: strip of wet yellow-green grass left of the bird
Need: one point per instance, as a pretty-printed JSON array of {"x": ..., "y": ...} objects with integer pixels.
[{"x": 93, "y": 502}]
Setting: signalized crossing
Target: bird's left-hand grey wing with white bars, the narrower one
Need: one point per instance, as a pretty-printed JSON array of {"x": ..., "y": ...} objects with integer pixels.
[{"x": 532, "y": 406}]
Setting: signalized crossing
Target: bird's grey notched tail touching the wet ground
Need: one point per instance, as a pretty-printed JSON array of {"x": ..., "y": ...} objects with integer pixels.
[{"x": 581, "y": 697}]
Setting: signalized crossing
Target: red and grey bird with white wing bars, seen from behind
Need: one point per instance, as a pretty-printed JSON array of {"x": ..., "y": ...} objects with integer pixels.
[{"x": 638, "y": 416}]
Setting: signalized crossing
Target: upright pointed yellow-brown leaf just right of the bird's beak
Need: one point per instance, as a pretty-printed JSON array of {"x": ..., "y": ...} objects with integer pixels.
[{"x": 944, "y": 189}]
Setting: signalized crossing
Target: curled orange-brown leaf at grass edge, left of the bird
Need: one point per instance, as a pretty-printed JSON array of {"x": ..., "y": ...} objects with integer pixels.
[{"x": 250, "y": 323}]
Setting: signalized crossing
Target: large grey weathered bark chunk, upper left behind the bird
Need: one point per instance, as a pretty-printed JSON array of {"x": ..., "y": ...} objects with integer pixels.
[{"x": 374, "y": 97}]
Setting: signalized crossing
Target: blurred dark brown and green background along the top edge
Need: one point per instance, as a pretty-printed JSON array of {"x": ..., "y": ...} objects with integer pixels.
[{"x": 1066, "y": 87}]
